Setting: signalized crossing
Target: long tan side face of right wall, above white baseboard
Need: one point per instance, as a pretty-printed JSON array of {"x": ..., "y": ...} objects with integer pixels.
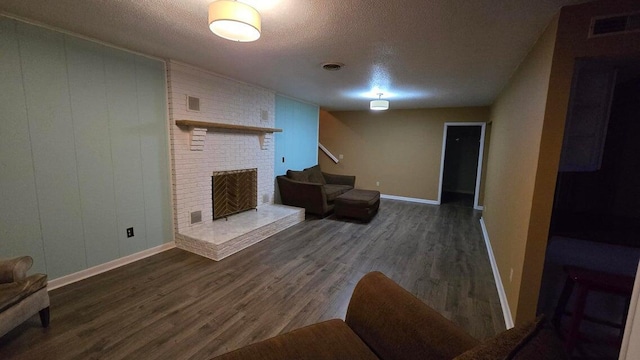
[{"x": 517, "y": 119}]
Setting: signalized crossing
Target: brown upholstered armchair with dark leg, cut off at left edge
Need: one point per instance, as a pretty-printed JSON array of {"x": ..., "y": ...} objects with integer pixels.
[{"x": 21, "y": 296}]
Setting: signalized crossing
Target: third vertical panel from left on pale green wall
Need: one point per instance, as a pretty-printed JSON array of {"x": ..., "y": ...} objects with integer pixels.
[{"x": 91, "y": 129}]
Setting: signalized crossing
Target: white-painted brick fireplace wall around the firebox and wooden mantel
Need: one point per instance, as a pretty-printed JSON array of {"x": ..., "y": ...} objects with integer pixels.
[{"x": 222, "y": 100}]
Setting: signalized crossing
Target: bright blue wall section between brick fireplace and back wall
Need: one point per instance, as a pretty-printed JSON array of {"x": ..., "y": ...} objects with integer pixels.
[{"x": 298, "y": 143}]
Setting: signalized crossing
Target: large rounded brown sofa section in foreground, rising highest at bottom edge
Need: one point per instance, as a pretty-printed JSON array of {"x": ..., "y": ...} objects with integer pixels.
[{"x": 397, "y": 325}]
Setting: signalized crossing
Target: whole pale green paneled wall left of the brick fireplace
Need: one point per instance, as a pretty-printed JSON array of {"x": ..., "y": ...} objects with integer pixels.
[{"x": 83, "y": 150}]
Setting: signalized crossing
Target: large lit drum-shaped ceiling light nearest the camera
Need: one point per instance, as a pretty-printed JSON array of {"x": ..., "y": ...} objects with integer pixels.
[{"x": 234, "y": 20}]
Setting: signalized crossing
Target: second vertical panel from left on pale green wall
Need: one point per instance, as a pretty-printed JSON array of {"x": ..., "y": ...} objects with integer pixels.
[{"x": 44, "y": 75}]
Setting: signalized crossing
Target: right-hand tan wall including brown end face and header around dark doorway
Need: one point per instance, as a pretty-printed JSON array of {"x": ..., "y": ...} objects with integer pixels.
[{"x": 528, "y": 124}]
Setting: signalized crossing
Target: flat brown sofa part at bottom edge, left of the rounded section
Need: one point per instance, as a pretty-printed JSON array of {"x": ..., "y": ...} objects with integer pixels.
[{"x": 331, "y": 339}]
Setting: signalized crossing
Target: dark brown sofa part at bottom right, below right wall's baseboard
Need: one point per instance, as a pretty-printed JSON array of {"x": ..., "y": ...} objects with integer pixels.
[{"x": 533, "y": 340}]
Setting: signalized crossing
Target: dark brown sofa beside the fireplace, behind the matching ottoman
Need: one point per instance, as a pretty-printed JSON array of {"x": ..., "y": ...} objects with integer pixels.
[{"x": 312, "y": 189}]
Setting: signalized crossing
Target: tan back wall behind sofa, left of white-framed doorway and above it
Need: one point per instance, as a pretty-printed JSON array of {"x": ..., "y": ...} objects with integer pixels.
[{"x": 401, "y": 149}]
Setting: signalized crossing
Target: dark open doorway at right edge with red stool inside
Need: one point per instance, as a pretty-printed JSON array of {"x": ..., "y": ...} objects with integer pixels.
[{"x": 596, "y": 215}]
